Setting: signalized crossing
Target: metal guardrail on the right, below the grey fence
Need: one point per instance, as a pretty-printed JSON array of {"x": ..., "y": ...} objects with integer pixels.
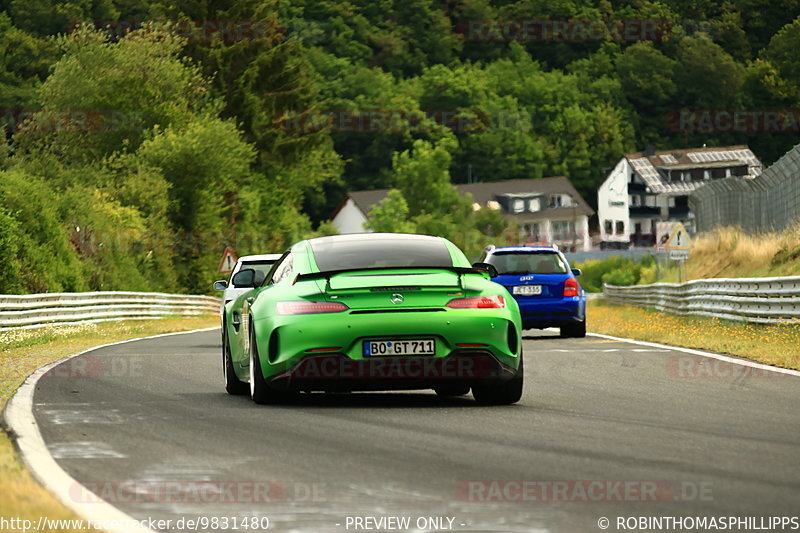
[{"x": 760, "y": 300}]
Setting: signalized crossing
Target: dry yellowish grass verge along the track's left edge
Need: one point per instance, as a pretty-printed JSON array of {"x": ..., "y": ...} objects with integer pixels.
[{"x": 22, "y": 352}]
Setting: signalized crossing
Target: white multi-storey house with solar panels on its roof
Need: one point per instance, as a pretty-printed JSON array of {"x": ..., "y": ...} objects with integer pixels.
[{"x": 647, "y": 193}]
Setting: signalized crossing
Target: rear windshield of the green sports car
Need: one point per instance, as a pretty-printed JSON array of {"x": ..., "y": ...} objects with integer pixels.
[{"x": 343, "y": 254}]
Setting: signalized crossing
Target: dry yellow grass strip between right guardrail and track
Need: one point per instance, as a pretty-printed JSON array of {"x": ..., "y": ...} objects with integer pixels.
[{"x": 775, "y": 345}]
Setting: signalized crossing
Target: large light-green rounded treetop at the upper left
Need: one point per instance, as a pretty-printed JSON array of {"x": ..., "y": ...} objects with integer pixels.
[{"x": 104, "y": 97}]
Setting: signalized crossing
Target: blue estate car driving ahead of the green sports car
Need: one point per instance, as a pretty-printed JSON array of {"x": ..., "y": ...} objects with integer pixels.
[{"x": 541, "y": 281}]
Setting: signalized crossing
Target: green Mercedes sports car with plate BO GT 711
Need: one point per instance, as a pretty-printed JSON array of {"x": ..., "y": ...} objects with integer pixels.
[{"x": 373, "y": 312}]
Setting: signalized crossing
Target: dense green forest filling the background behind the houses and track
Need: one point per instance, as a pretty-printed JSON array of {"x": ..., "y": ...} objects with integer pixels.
[{"x": 142, "y": 137}]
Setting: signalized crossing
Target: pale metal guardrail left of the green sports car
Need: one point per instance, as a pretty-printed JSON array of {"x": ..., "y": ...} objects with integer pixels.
[{"x": 36, "y": 310}]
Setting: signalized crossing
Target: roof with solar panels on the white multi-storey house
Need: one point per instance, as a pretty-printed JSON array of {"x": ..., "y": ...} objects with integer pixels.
[{"x": 652, "y": 166}]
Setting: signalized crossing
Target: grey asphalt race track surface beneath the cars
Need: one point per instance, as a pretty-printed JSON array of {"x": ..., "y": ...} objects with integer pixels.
[{"x": 605, "y": 429}]
